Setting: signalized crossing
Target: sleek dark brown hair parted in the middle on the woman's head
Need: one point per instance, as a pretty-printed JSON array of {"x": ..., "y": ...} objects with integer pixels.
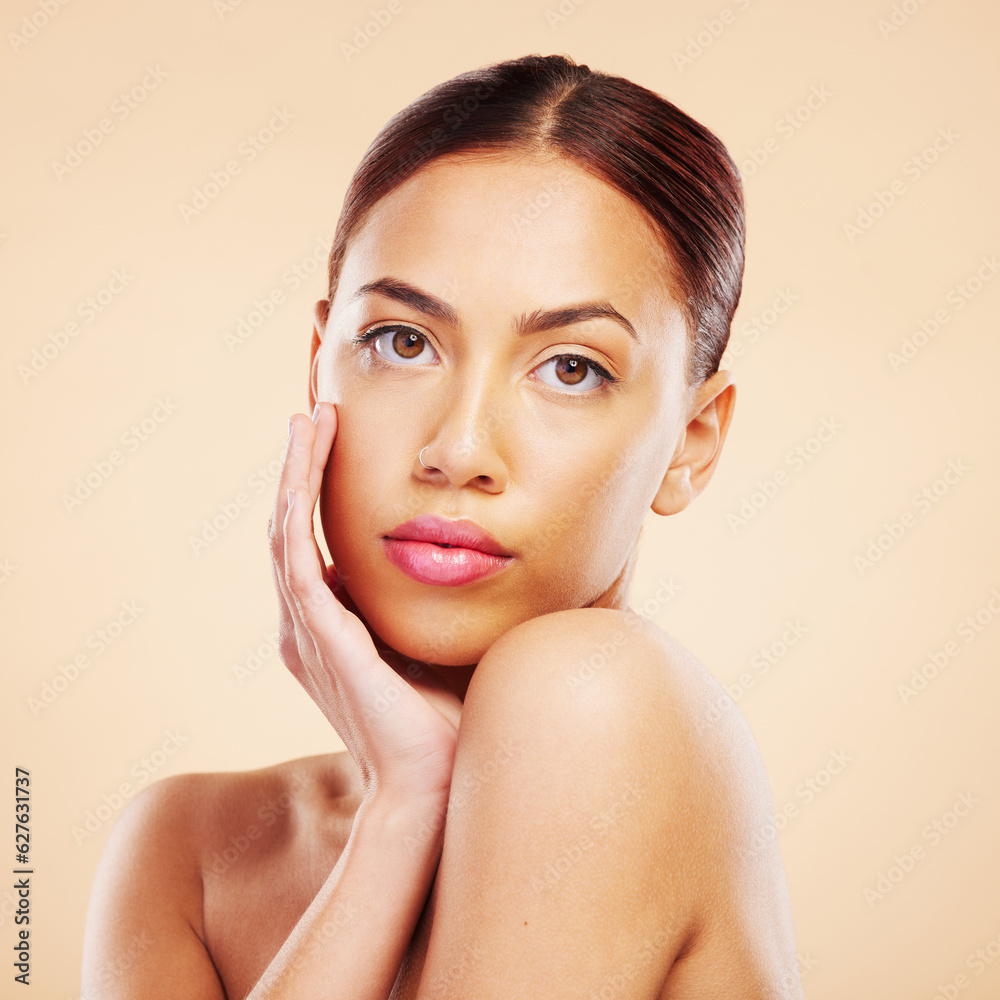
[{"x": 675, "y": 169}]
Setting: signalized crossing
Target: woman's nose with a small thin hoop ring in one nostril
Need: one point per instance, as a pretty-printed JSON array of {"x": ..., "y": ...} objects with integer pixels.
[{"x": 463, "y": 451}]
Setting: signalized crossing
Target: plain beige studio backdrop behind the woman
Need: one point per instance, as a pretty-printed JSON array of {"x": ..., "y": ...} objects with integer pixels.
[{"x": 169, "y": 681}]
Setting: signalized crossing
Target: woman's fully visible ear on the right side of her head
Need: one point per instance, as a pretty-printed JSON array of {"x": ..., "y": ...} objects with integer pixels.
[{"x": 700, "y": 444}]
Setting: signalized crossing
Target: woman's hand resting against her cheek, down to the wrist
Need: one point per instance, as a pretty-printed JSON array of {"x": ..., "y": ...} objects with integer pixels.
[{"x": 402, "y": 739}]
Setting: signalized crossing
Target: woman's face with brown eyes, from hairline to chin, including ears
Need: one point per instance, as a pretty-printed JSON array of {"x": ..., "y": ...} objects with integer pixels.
[{"x": 481, "y": 358}]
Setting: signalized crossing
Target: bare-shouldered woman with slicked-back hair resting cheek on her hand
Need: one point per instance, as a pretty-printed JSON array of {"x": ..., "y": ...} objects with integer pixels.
[{"x": 531, "y": 285}]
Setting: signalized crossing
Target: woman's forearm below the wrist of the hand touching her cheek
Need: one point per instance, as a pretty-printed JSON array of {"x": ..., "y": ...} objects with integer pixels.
[{"x": 351, "y": 940}]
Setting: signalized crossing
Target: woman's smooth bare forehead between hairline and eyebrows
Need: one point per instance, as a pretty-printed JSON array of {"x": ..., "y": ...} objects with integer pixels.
[{"x": 526, "y": 231}]
